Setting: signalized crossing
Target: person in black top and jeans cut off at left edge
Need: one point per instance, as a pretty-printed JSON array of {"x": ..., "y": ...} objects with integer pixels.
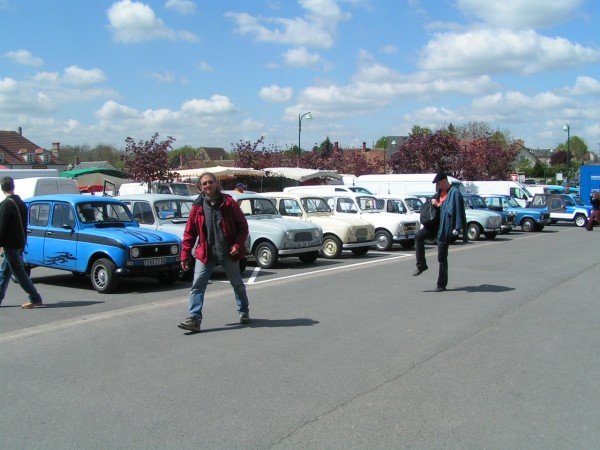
[{"x": 13, "y": 237}]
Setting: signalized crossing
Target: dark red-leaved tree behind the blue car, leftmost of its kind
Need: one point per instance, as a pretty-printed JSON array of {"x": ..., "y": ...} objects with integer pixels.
[{"x": 148, "y": 161}]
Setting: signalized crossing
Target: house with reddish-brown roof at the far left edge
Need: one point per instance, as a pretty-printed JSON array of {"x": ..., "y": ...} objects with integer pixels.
[{"x": 18, "y": 152}]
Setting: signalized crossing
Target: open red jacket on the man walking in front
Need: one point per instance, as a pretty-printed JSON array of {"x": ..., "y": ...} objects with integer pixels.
[{"x": 235, "y": 229}]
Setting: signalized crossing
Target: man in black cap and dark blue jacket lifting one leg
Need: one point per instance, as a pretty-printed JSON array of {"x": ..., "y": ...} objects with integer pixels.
[{"x": 452, "y": 220}]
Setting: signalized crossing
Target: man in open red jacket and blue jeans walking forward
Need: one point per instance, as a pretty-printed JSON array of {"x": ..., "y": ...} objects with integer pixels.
[{"x": 219, "y": 226}]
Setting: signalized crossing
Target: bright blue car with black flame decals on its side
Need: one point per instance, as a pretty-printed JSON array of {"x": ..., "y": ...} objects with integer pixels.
[{"x": 97, "y": 236}]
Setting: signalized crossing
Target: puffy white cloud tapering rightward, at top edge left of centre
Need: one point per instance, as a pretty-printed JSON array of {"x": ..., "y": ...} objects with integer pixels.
[{"x": 137, "y": 22}]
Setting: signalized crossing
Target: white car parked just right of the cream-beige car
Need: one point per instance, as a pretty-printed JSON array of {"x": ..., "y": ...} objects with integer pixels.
[{"x": 389, "y": 228}]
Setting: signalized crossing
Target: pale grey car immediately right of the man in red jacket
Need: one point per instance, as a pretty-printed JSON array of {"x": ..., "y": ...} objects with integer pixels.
[{"x": 273, "y": 236}]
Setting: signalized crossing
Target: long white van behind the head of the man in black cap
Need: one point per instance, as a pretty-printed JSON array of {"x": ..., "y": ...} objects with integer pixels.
[{"x": 402, "y": 183}]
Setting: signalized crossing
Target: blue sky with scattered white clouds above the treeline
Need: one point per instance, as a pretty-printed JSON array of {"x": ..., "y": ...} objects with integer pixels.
[{"x": 211, "y": 73}]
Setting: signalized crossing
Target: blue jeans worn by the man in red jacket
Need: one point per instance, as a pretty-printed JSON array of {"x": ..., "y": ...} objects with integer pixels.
[{"x": 202, "y": 274}]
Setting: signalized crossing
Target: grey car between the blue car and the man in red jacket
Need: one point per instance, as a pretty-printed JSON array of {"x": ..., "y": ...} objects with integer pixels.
[{"x": 166, "y": 212}]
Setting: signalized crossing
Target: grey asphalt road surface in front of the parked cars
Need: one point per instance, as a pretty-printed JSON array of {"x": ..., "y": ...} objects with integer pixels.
[{"x": 355, "y": 353}]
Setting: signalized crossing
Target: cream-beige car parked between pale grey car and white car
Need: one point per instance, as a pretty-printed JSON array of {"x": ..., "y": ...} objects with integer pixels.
[{"x": 339, "y": 233}]
